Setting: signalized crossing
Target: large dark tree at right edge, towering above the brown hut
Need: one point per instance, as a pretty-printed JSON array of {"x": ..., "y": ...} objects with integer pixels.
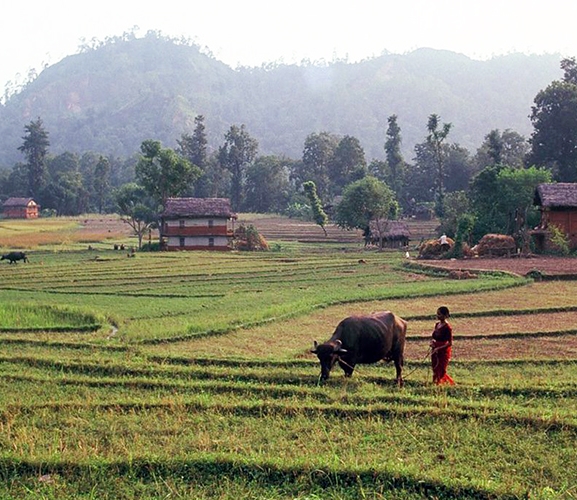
[{"x": 554, "y": 118}]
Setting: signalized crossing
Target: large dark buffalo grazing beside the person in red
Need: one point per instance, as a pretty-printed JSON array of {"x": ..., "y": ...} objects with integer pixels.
[{"x": 364, "y": 340}]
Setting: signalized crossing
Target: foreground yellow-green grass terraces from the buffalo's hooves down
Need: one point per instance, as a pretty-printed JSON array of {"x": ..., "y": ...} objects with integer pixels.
[{"x": 137, "y": 417}]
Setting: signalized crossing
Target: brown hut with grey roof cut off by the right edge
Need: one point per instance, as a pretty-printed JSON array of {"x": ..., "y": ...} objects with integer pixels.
[{"x": 558, "y": 206}]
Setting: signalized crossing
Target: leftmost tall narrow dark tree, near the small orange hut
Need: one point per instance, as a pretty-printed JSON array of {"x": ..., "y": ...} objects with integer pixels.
[{"x": 35, "y": 149}]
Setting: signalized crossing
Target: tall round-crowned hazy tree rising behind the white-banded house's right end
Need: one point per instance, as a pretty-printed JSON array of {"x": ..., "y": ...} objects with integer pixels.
[{"x": 237, "y": 152}]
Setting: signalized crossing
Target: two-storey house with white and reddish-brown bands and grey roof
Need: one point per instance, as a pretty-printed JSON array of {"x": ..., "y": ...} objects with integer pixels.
[{"x": 196, "y": 224}]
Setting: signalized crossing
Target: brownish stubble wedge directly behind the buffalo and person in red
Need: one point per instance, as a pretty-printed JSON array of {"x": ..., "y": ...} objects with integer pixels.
[{"x": 503, "y": 313}]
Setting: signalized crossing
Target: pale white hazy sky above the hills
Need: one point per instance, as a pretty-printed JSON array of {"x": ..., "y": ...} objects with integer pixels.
[{"x": 251, "y": 32}]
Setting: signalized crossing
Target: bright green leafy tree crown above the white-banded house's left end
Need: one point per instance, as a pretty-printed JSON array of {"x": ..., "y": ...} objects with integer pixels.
[{"x": 163, "y": 173}]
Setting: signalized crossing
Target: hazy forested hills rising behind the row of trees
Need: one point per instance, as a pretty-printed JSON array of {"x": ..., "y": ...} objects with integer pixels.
[{"x": 110, "y": 98}]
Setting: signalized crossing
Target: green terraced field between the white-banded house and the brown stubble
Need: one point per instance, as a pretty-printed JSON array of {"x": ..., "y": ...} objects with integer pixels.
[{"x": 160, "y": 297}]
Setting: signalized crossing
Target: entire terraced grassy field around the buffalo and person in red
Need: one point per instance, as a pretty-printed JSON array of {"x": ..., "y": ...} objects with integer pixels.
[{"x": 188, "y": 375}]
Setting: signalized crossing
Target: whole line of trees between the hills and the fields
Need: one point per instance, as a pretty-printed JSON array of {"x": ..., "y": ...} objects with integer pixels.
[{"x": 490, "y": 190}]
